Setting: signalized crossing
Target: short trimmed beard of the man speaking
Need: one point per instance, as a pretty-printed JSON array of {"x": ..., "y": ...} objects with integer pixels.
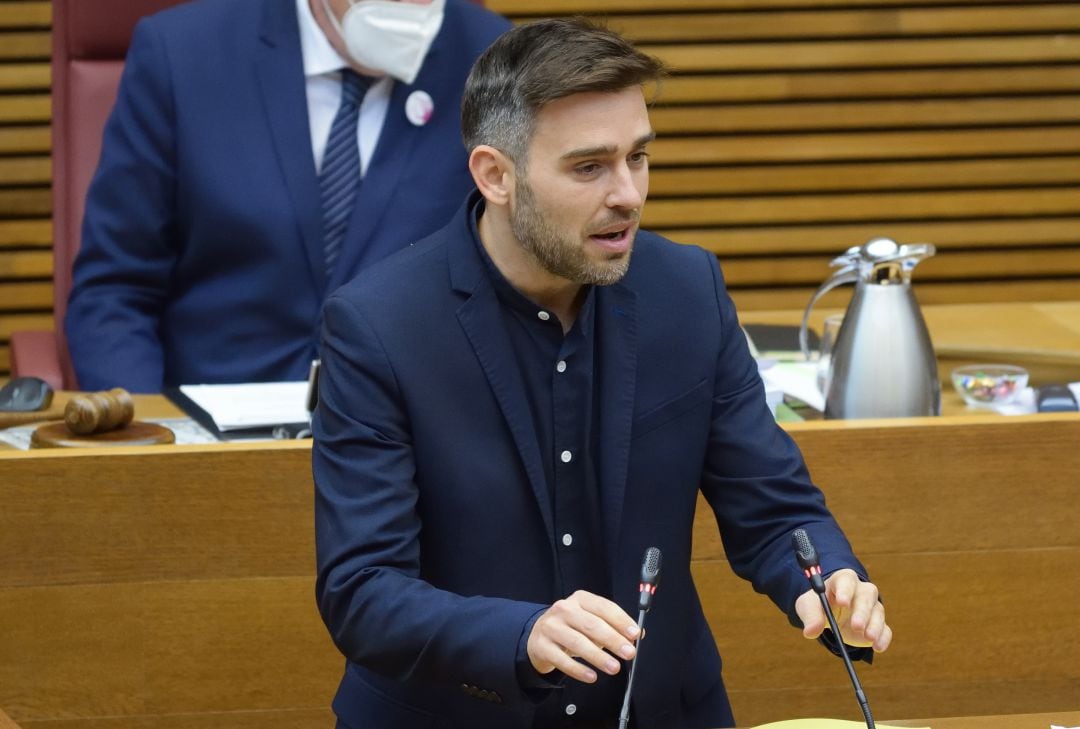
[{"x": 559, "y": 255}]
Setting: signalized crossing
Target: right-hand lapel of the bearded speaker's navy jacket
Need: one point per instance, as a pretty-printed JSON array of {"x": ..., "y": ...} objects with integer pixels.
[{"x": 617, "y": 373}]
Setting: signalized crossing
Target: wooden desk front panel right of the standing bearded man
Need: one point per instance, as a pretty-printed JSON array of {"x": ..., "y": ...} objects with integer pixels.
[{"x": 969, "y": 526}]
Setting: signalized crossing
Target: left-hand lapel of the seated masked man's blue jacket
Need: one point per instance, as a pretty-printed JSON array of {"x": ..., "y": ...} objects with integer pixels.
[{"x": 279, "y": 69}]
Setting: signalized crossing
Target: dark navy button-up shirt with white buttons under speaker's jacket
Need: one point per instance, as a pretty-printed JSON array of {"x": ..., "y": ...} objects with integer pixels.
[{"x": 559, "y": 375}]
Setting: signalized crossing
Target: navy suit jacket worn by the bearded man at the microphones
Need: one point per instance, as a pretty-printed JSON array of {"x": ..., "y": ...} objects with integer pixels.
[{"x": 435, "y": 534}]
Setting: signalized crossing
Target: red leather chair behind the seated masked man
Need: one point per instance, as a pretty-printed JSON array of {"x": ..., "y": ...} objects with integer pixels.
[{"x": 90, "y": 42}]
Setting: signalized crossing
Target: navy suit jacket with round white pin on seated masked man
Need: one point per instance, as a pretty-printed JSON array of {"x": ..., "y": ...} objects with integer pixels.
[{"x": 202, "y": 253}]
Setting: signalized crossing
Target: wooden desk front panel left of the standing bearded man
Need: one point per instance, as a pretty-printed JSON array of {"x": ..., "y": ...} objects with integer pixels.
[{"x": 163, "y": 587}]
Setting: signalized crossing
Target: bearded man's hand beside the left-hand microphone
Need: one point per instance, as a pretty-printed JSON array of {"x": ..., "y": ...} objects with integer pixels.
[{"x": 584, "y": 627}]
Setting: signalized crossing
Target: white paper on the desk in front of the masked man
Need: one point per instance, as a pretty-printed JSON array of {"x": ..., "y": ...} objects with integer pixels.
[{"x": 251, "y": 404}]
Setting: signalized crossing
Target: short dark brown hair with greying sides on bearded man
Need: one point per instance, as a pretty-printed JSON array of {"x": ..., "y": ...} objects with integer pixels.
[{"x": 539, "y": 63}]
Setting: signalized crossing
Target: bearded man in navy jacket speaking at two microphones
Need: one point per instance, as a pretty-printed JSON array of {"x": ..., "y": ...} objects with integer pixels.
[{"x": 514, "y": 411}]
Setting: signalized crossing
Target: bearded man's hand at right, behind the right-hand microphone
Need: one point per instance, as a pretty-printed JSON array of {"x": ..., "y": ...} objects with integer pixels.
[{"x": 859, "y": 614}]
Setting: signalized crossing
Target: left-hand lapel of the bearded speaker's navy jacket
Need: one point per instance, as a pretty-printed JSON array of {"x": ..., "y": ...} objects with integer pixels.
[{"x": 481, "y": 319}]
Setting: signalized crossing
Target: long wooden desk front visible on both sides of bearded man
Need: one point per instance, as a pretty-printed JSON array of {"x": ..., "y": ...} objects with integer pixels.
[{"x": 172, "y": 586}]
